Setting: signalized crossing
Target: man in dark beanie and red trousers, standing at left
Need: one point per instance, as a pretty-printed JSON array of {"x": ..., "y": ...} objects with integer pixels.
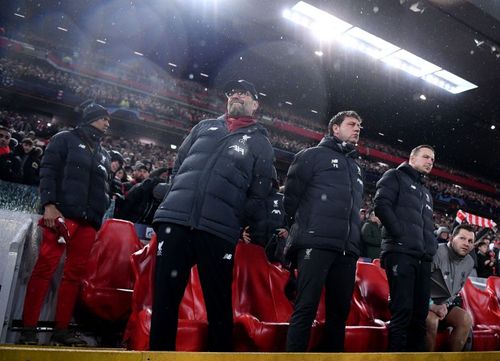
[{"x": 74, "y": 175}]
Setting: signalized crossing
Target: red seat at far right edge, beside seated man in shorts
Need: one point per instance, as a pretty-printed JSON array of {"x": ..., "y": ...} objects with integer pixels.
[{"x": 485, "y": 311}]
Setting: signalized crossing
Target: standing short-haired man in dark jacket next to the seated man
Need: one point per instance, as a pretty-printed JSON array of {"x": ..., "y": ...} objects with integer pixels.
[{"x": 404, "y": 205}]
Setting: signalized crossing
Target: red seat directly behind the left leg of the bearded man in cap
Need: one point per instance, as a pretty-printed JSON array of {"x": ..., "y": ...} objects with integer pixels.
[{"x": 192, "y": 327}]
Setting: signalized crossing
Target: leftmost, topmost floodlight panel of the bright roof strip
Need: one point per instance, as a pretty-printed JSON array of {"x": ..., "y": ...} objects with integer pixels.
[{"x": 321, "y": 23}]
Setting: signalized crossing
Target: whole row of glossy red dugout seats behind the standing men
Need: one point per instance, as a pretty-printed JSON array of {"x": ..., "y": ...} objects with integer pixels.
[{"x": 119, "y": 286}]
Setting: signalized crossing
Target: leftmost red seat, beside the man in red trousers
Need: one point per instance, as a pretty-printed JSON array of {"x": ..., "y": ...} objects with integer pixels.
[{"x": 107, "y": 287}]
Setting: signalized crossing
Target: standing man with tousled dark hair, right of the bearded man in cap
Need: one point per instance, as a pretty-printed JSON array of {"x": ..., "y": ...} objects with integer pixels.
[{"x": 323, "y": 196}]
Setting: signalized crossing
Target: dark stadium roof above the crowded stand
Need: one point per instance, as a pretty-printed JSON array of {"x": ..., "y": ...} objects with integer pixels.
[{"x": 212, "y": 41}]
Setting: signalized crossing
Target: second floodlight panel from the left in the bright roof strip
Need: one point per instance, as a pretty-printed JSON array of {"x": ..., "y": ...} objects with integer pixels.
[{"x": 368, "y": 43}]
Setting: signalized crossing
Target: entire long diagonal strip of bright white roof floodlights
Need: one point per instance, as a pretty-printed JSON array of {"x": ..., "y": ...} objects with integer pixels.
[{"x": 328, "y": 27}]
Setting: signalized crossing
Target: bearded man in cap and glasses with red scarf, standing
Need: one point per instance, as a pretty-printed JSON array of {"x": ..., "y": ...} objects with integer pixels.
[{"x": 222, "y": 172}]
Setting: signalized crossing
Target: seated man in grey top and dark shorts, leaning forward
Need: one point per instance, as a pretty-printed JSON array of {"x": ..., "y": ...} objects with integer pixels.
[{"x": 451, "y": 266}]
